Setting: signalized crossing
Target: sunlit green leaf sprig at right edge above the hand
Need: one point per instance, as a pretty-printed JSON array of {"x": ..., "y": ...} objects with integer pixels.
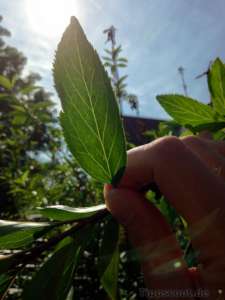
[{"x": 195, "y": 115}]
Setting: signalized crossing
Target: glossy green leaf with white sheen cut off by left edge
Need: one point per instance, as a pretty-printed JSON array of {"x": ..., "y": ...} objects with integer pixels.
[{"x": 19, "y": 234}]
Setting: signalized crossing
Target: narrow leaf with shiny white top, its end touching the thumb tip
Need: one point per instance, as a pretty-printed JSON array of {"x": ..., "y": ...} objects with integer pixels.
[{"x": 66, "y": 213}]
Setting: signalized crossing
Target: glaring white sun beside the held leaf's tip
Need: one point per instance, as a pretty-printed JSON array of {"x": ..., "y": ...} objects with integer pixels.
[{"x": 50, "y": 17}]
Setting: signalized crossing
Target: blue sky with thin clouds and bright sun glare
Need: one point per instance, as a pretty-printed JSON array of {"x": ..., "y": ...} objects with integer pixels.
[{"x": 157, "y": 37}]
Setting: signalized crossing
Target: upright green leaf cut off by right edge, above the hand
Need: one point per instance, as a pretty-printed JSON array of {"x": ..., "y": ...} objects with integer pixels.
[{"x": 216, "y": 83}]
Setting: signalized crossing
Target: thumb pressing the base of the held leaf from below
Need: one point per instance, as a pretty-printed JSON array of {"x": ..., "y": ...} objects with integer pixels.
[{"x": 151, "y": 235}]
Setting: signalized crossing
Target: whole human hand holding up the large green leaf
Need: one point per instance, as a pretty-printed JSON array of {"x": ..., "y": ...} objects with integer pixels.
[{"x": 190, "y": 173}]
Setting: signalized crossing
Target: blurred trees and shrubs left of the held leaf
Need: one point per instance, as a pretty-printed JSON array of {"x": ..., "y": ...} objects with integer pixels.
[{"x": 35, "y": 168}]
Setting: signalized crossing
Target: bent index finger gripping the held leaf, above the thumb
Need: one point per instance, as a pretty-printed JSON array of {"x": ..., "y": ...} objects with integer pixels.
[{"x": 189, "y": 185}]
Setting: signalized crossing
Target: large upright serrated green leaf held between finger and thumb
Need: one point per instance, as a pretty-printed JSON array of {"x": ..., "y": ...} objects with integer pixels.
[{"x": 90, "y": 119}]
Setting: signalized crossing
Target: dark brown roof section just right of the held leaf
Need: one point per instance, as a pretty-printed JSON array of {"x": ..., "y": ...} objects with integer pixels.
[{"x": 136, "y": 126}]
